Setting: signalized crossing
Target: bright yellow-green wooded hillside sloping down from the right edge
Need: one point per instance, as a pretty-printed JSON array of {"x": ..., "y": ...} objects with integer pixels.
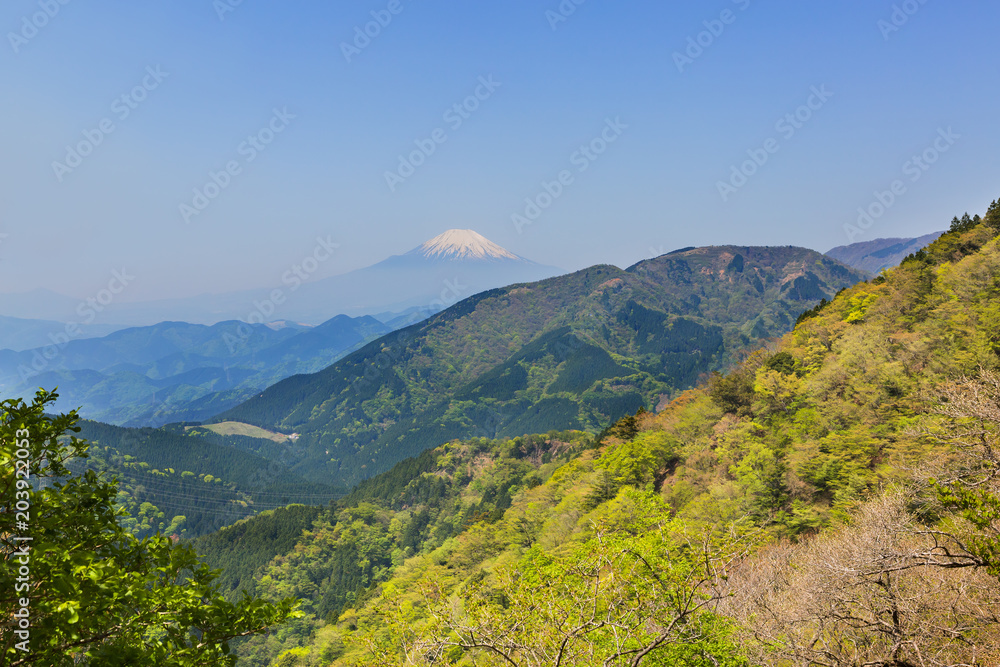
[{"x": 832, "y": 501}]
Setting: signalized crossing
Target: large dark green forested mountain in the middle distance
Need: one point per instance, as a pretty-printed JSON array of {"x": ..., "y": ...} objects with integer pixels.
[{"x": 572, "y": 352}]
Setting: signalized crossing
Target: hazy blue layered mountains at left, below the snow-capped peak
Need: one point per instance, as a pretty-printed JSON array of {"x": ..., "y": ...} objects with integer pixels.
[{"x": 176, "y": 371}]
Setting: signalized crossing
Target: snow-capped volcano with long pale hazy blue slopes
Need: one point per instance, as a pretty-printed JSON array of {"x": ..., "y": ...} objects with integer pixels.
[{"x": 438, "y": 273}]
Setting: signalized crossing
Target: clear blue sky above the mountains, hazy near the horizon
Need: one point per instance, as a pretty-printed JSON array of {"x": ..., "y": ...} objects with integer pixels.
[{"x": 184, "y": 84}]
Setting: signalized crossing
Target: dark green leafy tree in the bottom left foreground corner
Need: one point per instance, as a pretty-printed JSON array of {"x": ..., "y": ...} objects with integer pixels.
[{"x": 84, "y": 590}]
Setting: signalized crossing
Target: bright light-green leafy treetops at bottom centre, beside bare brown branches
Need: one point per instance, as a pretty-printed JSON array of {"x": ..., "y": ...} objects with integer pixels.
[{"x": 632, "y": 587}]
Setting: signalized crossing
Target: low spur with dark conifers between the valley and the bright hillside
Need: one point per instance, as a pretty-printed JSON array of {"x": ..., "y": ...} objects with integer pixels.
[{"x": 333, "y": 558}]
